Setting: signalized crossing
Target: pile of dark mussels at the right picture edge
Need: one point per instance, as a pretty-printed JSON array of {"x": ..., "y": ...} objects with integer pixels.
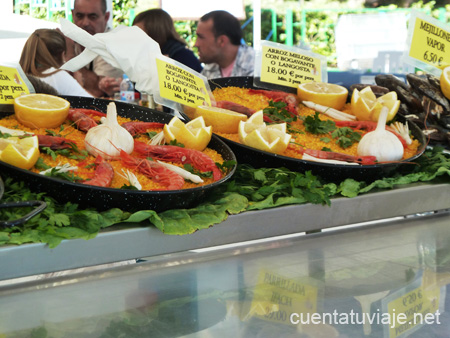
[{"x": 422, "y": 102}]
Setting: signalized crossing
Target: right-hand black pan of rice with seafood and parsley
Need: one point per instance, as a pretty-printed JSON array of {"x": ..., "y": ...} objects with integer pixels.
[{"x": 319, "y": 153}]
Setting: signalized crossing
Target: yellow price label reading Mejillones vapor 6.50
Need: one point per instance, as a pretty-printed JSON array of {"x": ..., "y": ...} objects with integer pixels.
[{"x": 430, "y": 42}]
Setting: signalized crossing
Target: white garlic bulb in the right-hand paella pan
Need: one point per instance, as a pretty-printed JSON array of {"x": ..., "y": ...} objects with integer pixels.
[{"x": 382, "y": 144}]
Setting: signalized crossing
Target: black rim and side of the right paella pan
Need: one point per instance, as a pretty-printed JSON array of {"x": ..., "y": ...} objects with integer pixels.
[{"x": 328, "y": 171}]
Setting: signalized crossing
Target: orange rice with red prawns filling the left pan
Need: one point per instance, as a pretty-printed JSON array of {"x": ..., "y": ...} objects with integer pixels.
[{"x": 67, "y": 145}]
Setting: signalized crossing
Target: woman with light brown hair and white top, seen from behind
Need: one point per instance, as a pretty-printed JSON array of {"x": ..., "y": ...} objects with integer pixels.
[{"x": 42, "y": 55}]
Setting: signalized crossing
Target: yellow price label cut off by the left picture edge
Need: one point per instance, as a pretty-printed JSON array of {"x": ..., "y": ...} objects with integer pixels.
[{"x": 12, "y": 84}]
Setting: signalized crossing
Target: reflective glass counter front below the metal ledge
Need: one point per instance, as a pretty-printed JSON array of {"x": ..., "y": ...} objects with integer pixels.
[{"x": 384, "y": 279}]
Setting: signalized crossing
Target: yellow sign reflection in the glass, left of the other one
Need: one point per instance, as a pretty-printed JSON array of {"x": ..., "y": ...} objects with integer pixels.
[{"x": 276, "y": 297}]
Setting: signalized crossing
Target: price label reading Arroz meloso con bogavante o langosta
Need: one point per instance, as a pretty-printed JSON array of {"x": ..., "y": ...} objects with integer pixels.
[{"x": 288, "y": 66}]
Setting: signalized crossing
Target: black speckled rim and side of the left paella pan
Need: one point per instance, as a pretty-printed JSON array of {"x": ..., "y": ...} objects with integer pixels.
[{"x": 87, "y": 196}]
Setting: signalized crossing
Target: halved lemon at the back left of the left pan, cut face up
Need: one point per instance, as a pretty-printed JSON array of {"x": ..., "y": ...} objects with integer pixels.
[{"x": 41, "y": 110}]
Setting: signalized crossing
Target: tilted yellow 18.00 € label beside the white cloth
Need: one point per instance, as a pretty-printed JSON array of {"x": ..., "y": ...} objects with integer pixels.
[{"x": 179, "y": 85}]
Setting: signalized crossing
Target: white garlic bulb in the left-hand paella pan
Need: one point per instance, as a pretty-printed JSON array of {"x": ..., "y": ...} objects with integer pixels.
[{"x": 108, "y": 138}]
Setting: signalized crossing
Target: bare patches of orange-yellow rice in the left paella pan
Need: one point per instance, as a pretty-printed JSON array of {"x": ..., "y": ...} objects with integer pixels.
[{"x": 85, "y": 168}]
